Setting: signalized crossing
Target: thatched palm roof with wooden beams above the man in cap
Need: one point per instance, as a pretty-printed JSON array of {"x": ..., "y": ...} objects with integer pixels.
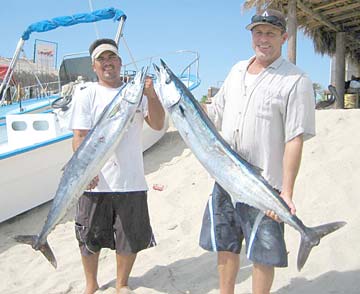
[{"x": 322, "y": 19}]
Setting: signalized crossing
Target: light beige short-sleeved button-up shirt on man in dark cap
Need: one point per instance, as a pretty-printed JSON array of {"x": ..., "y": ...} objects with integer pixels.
[{"x": 258, "y": 120}]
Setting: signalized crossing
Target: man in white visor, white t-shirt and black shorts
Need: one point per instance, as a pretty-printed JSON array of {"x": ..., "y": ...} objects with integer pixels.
[{"x": 113, "y": 212}]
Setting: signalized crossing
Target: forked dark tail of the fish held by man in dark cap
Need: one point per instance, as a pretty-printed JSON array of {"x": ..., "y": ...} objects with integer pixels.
[{"x": 312, "y": 237}]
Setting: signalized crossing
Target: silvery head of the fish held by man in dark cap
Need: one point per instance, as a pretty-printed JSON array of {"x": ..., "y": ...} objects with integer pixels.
[{"x": 166, "y": 86}]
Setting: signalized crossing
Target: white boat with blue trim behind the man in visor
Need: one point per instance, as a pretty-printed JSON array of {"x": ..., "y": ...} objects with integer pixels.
[{"x": 35, "y": 143}]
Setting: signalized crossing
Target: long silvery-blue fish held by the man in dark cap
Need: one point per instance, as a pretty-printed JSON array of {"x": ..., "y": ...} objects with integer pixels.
[{"x": 238, "y": 177}]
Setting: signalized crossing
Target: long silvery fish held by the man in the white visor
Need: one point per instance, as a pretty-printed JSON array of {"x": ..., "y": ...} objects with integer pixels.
[{"x": 89, "y": 158}]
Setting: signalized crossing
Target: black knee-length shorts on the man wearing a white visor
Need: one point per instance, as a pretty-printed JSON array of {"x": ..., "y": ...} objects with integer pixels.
[{"x": 117, "y": 221}]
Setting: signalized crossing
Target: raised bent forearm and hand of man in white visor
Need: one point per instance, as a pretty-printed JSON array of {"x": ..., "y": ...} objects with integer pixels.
[{"x": 156, "y": 113}]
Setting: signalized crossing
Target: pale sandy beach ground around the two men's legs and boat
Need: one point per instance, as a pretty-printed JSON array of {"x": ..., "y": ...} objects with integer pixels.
[{"x": 327, "y": 189}]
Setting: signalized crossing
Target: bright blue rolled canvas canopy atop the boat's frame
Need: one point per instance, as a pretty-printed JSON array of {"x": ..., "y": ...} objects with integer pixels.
[{"x": 64, "y": 21}]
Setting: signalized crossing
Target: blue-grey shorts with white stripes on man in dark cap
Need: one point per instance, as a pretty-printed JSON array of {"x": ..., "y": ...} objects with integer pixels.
[{"x": 224, "y": 228}]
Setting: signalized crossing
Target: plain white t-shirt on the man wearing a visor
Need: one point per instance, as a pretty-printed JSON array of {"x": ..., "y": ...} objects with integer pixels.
[{"x": 124, "y": 171}]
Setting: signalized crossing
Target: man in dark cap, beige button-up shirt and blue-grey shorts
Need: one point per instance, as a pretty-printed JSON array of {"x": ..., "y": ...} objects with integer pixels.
[{"x": 264, "y": 110}]
